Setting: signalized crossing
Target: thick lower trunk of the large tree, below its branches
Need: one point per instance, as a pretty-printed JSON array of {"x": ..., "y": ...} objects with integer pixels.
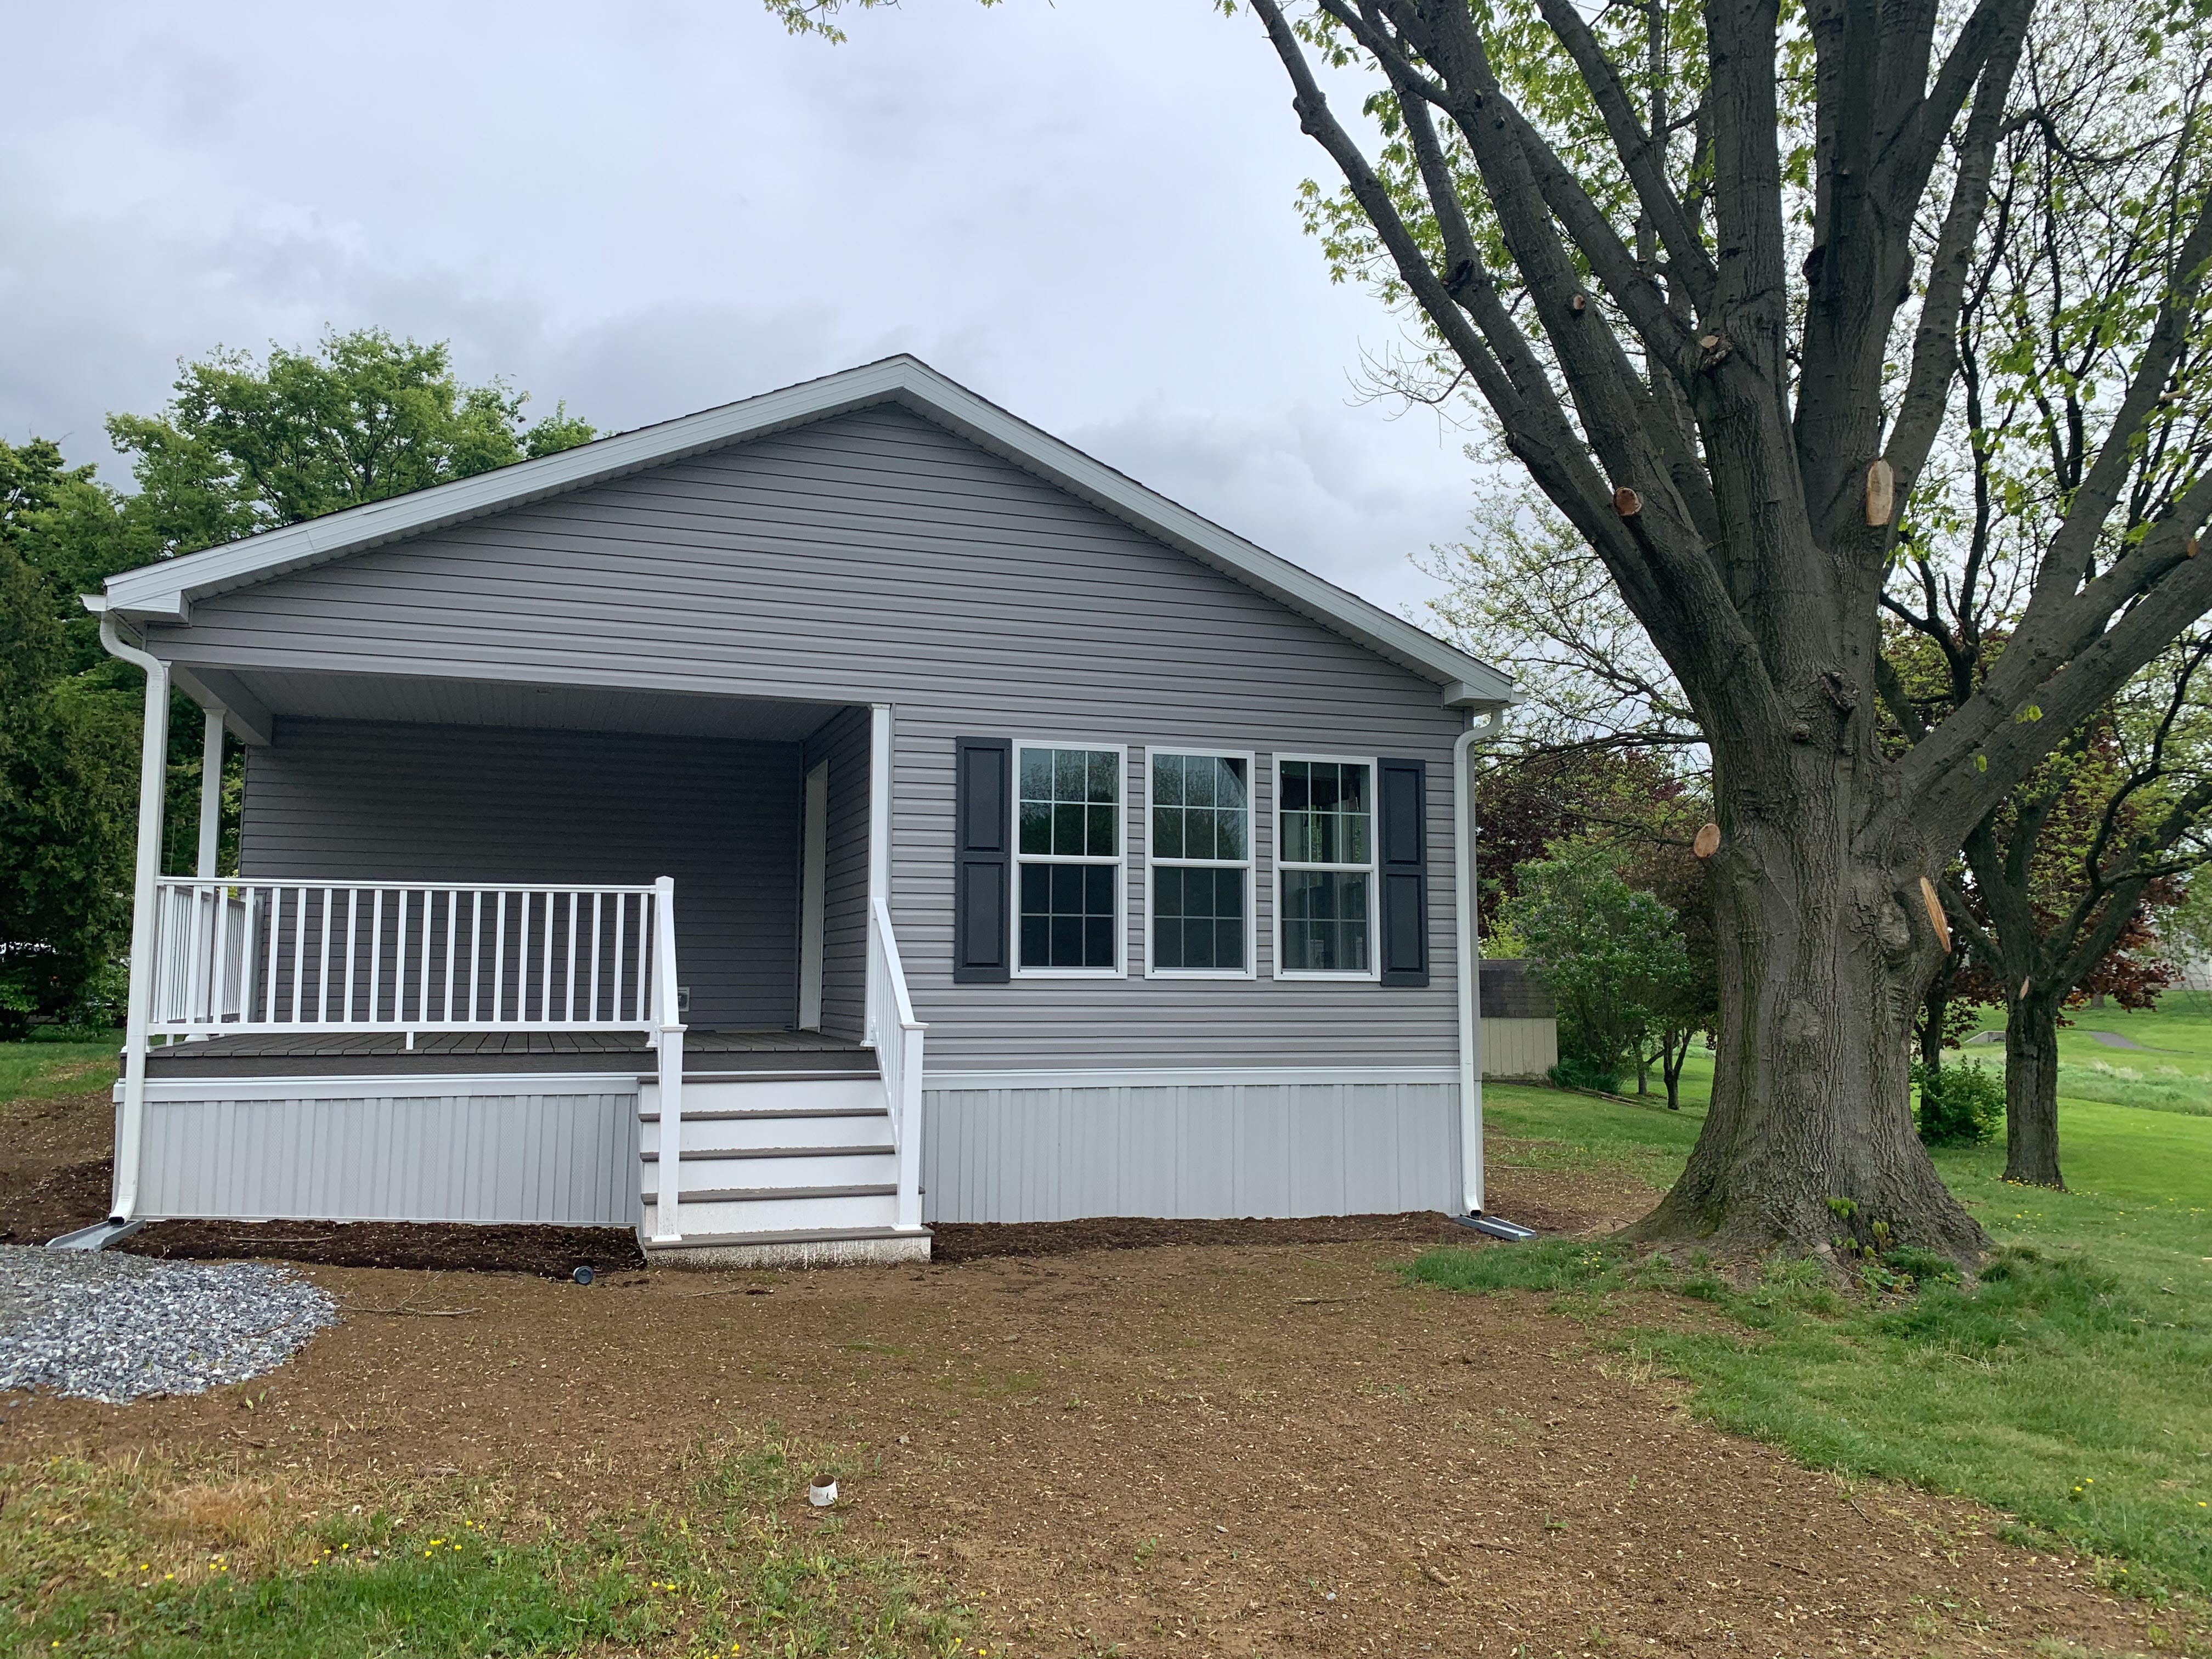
[{"x": 1811, "y": 1136}]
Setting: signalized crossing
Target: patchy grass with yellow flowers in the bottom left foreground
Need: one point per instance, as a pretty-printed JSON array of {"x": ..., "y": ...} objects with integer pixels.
[{"x": 149, "y": 1561}]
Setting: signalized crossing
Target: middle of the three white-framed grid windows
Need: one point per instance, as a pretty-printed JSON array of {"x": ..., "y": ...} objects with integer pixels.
[{"x": 1202, "y": 864}]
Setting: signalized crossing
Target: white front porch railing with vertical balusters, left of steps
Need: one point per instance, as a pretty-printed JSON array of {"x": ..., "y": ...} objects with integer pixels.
[{"x": 251, "y": 957}]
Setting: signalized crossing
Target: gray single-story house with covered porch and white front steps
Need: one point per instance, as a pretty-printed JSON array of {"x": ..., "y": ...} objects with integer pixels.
[{"x": 786, "y": 828}]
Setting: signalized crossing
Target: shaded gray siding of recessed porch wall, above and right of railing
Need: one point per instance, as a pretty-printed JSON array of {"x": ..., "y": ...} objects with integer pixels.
[{"x": 355, "y": 800}]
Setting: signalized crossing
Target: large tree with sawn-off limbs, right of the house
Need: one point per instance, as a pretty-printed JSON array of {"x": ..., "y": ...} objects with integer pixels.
[{"x": 1684, "y": 317}]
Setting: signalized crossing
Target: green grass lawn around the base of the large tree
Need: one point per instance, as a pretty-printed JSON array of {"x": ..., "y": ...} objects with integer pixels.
[{"x": 2069, "y": 1388}]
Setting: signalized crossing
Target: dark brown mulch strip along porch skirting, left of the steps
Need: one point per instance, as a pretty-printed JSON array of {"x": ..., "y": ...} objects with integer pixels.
[{"x": 550, "y": 1253}]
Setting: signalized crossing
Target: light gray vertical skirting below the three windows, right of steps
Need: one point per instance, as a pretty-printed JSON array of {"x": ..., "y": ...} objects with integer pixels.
[{"x": 1191, "y": 1151}]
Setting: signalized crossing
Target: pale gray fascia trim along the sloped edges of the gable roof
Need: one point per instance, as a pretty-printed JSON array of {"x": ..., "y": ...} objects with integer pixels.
[{"x": 167, "y": 592}]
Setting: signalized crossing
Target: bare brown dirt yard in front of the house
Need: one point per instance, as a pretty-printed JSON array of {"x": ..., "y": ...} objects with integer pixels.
[{"x": 1151, "y": 1450}]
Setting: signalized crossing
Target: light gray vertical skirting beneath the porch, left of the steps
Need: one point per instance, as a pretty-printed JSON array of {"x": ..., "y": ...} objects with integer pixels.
[{"x": 565, "y": 1160}]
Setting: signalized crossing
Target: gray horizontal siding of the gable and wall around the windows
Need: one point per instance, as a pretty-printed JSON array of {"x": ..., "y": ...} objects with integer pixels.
[{"x": 877, "y": 559}]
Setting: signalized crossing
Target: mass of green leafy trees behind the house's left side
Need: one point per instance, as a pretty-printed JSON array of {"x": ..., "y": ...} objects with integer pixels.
[{"x": 240, "y": 448}]
